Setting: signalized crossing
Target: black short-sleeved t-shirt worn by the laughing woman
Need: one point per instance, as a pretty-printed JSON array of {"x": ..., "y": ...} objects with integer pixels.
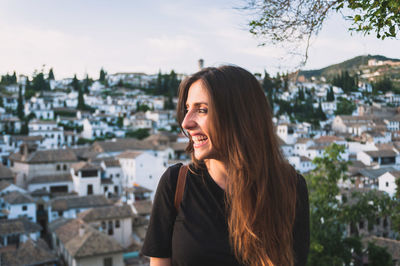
[{"x": 198, "y": 234}]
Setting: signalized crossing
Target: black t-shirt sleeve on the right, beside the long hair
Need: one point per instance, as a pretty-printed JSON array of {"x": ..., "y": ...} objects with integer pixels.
[{"x": 301, "y": 229}]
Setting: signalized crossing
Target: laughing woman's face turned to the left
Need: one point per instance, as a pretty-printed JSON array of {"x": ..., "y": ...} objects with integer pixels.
[{"x": 196, "y": 121}]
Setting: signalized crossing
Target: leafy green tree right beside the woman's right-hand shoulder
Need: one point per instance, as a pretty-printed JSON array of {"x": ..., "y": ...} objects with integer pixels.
[{"x": 331, "y": 211}]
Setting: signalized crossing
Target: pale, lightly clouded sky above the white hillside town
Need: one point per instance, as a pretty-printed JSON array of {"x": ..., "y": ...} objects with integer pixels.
[{"x": 81, "y": 37}]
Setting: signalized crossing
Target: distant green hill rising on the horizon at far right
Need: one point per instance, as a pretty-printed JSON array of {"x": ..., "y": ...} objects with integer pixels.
[{"x": 354, "y": 66}]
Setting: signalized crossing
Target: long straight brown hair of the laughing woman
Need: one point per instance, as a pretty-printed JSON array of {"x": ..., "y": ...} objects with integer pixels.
[{"x": 261, "y": 188}]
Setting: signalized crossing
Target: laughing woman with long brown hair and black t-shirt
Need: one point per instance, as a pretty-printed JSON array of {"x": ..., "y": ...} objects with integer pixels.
[{"x": 243, "y": 204}]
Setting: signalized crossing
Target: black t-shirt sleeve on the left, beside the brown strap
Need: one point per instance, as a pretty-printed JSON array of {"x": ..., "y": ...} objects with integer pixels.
[{"x": 158, "y": 238}]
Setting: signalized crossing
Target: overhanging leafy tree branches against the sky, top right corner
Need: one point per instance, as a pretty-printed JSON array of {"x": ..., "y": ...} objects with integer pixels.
[{"x": 279, "y": 21}]
